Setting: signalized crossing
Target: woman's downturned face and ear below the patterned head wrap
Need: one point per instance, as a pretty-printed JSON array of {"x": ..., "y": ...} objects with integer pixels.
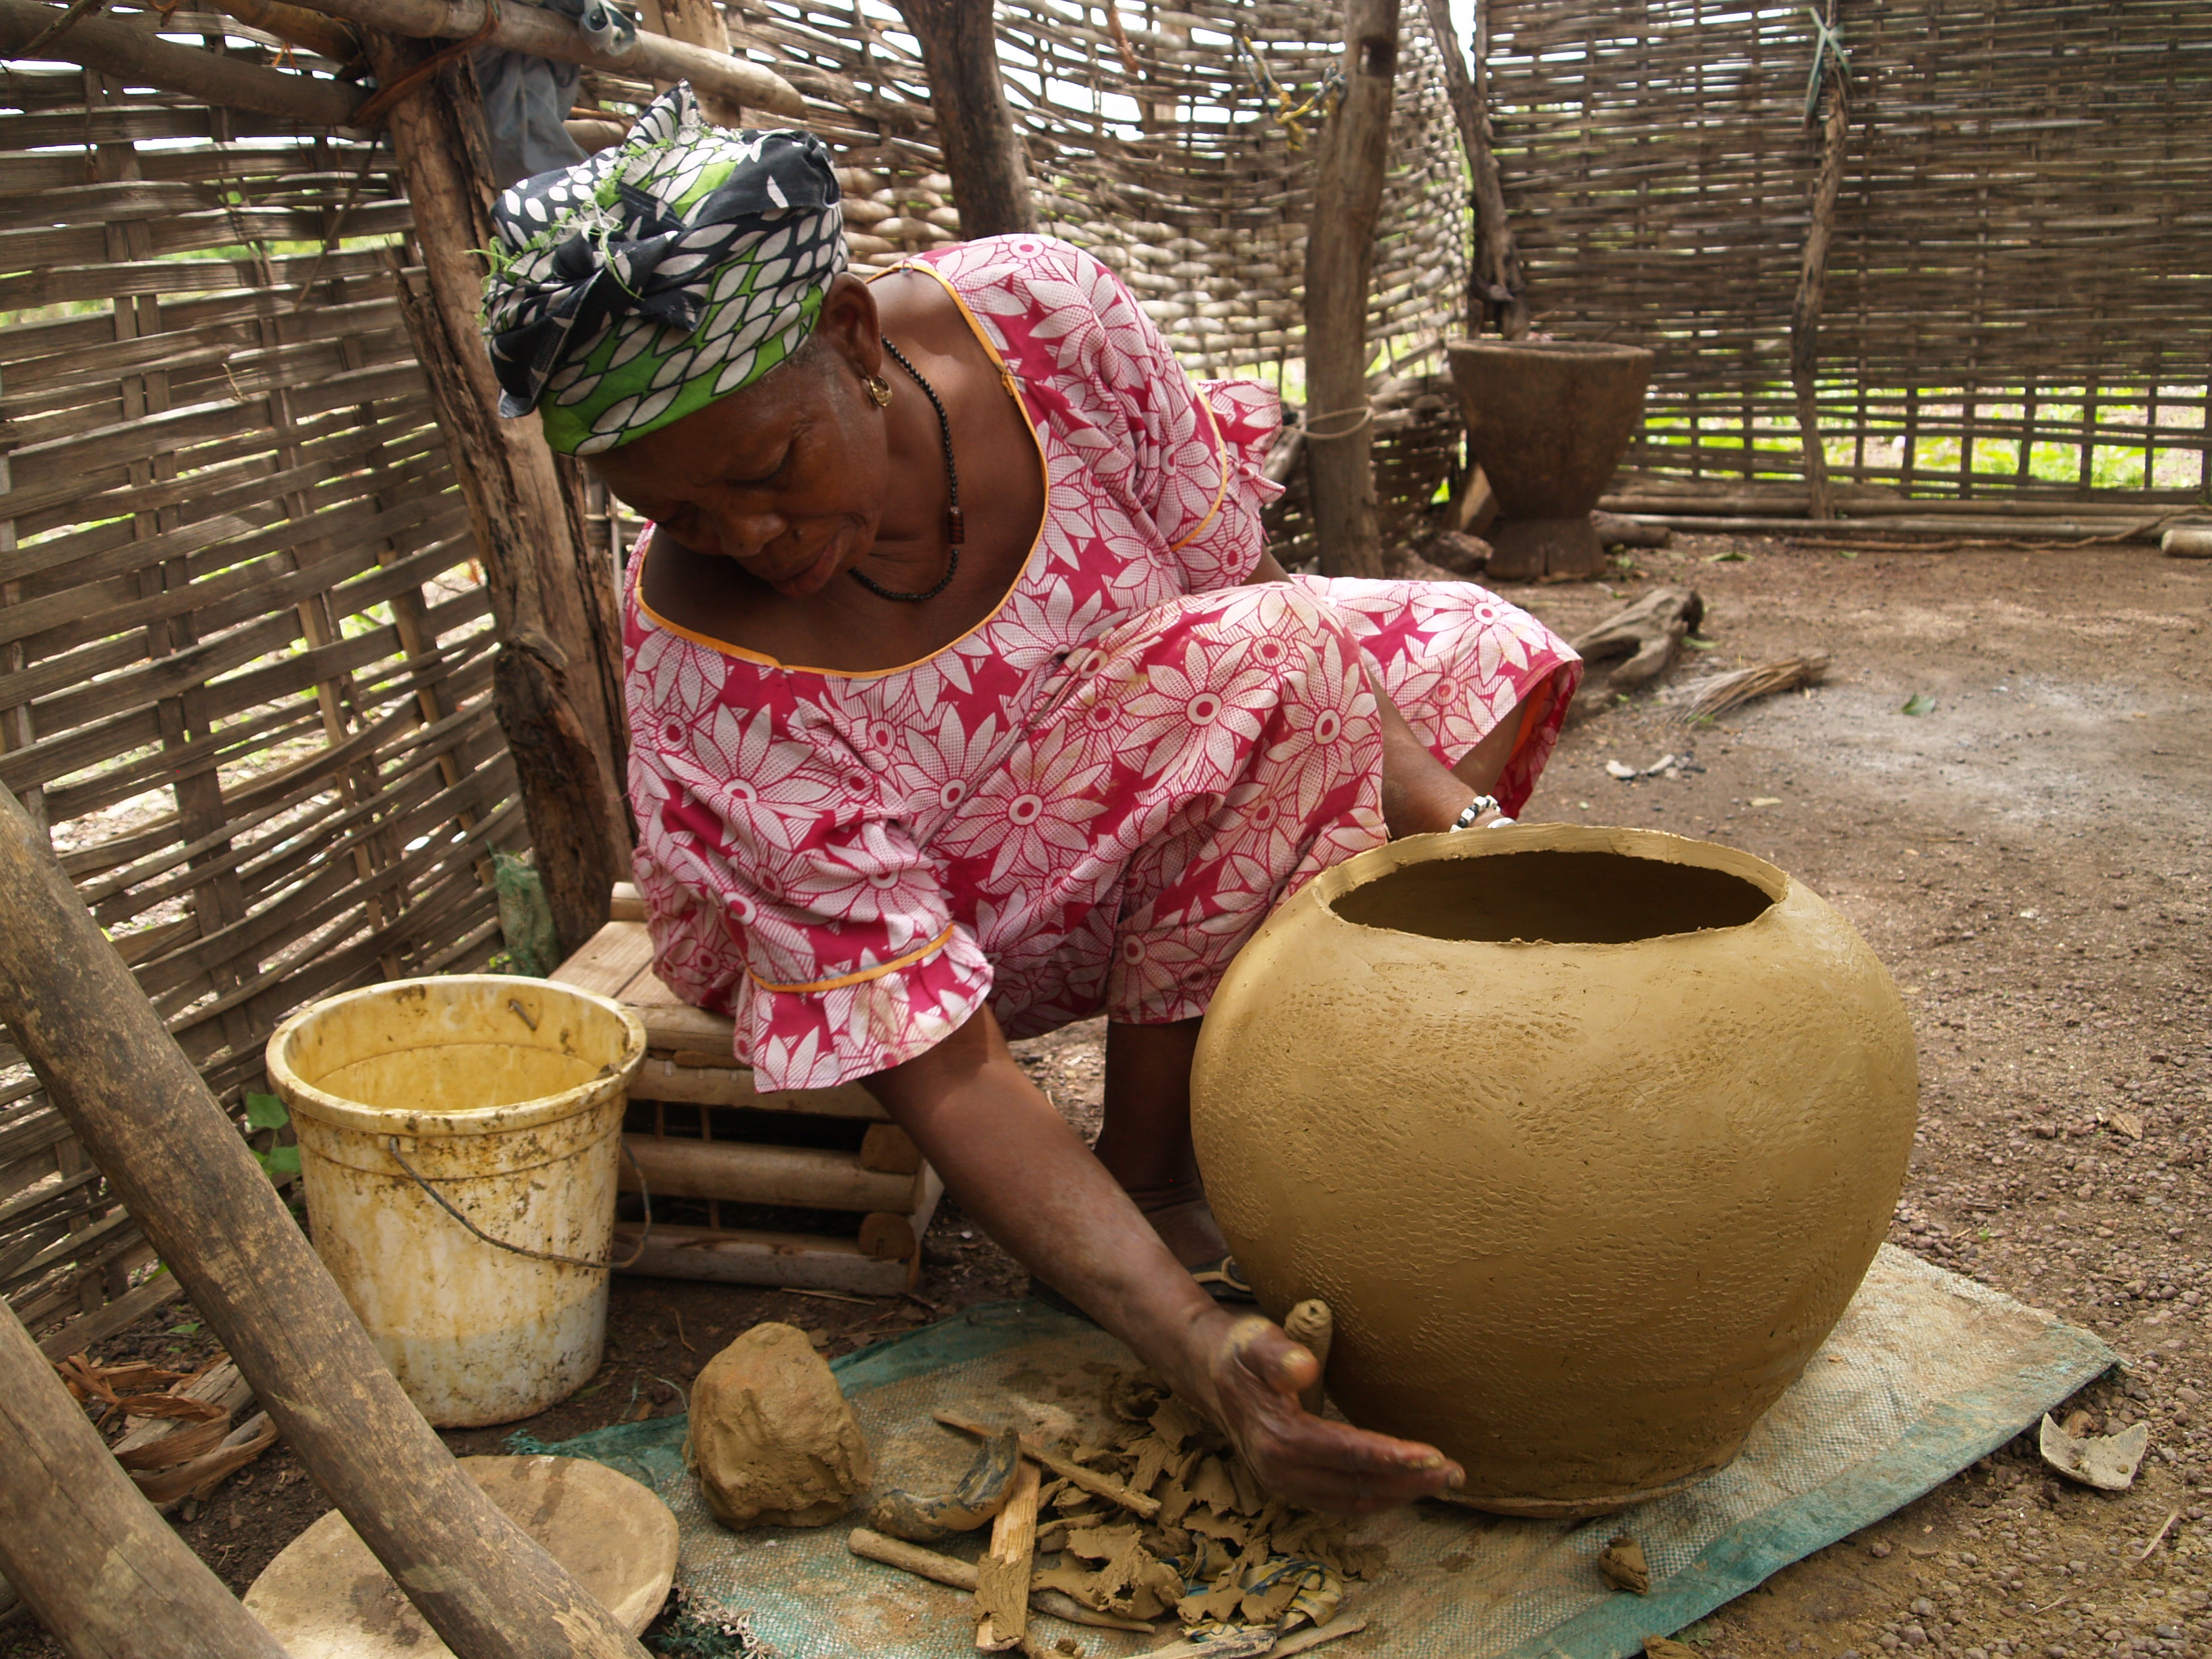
[{"x": 789, "y": 477}]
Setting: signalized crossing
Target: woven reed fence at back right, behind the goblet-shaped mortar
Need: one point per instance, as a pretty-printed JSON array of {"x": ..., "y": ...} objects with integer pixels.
[{"x": 2021, "y": 286}]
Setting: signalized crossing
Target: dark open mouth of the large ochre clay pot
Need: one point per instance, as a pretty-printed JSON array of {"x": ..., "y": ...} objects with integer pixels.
[{"x": 1550, "y": 897}]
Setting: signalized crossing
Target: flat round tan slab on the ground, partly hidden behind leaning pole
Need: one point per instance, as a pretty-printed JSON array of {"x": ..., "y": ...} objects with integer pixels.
[{"x": 326, "y": 1596}]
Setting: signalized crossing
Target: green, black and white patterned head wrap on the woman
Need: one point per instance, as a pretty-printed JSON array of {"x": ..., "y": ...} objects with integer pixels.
[{"x": 660, "y": 275}]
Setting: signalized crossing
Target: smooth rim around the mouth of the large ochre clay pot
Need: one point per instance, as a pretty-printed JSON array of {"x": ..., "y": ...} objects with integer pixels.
[{"x": 1656, "y": 846}]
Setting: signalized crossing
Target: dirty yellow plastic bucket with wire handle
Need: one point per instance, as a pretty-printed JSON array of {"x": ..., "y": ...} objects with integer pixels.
[{"x": 503, "y": 1098}]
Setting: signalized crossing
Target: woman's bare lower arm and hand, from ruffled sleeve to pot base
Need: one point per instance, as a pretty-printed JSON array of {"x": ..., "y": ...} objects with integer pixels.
[{"x": 1019, "y": 1169}]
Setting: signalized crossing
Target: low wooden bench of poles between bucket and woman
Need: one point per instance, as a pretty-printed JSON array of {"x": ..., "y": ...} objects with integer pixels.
[{"x": 716, "y": 1149}]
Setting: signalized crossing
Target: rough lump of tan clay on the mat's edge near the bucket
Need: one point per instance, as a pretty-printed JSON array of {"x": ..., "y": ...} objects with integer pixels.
[{"x": 773, "y": 1437}]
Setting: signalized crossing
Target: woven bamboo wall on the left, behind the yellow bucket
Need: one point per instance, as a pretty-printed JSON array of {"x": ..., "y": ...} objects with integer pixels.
[{"x": 244, "y": 658}]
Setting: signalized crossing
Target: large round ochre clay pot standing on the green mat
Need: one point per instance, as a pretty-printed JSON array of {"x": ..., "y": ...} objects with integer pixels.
[{"x": 1587, "y": 1138}]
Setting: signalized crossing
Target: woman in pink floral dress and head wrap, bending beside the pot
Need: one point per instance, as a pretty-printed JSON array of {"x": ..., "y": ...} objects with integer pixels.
[{"x": 966, "y": 700}]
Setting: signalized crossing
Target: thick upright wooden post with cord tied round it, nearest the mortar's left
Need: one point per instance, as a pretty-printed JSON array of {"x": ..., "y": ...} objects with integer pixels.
[{"x": 1339, "y": 262}]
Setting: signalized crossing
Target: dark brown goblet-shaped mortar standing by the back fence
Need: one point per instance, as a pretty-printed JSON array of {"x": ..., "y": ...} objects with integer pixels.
[{"x": 1550, "y": 424}]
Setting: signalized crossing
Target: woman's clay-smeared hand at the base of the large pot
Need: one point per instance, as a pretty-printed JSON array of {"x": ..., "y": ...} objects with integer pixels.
[{"x": 1251, "y": 1375}]
